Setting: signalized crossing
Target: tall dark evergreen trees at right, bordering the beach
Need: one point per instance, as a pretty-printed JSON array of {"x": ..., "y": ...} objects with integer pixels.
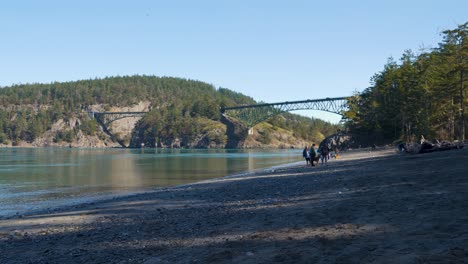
[{"x": 422, "y": 94}]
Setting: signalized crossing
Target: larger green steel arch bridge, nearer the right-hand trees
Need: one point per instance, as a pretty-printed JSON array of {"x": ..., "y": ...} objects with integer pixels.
[{"x": 250, "y": 115}]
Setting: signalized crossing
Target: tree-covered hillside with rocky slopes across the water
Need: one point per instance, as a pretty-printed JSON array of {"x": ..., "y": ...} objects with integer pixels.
[{"x": 183, "y": 113}]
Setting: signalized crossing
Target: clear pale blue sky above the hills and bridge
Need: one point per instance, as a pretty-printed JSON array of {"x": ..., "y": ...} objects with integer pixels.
[{"x": 270, "y": 50}]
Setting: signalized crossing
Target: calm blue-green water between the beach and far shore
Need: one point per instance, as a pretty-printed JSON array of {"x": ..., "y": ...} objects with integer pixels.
[{"x": 40, "y": 178}]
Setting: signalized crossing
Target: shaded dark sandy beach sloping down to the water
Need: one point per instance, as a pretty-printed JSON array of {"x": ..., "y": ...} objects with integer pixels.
[{"x": 367, "y": 207}]
